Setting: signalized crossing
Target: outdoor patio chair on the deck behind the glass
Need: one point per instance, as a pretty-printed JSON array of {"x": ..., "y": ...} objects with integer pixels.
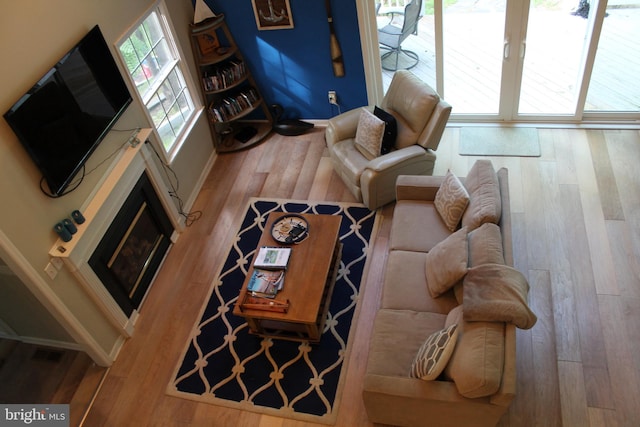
[{"x": 391, "y": 36}]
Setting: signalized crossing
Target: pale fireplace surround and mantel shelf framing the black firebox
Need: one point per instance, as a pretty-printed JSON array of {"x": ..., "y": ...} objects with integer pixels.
[{"x": 99, "y": 211}]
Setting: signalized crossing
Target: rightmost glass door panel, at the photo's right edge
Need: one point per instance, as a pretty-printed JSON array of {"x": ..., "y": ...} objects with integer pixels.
[{"x": 614, "y": 83}]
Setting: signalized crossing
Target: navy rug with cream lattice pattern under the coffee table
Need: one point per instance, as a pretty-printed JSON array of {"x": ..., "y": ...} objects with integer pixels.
[{"x": 224, "y": 365}]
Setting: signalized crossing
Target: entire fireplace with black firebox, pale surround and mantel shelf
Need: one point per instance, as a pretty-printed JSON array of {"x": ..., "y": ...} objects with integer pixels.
[{"x": 130, "y": 223}]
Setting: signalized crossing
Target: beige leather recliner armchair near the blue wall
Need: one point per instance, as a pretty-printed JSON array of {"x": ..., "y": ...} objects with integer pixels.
[{"x": 421, "y": 117}]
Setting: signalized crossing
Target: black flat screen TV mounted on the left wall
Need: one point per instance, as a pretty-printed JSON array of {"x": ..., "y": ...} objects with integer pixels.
[{"x": 61, "y": 120}]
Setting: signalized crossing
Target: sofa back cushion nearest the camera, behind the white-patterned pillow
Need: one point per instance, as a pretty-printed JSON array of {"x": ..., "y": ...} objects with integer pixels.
[{"x": 478, "y": 358}]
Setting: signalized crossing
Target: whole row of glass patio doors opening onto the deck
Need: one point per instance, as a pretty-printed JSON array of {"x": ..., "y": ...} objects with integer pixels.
[{"x": 531, "y": 61}]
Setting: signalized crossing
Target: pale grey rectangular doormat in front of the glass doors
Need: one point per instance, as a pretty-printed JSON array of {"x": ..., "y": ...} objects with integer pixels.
[{"x": 491, "y": 141}]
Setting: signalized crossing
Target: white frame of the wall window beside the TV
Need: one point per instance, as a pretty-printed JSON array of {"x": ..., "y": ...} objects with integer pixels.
[{"x": 178, "y": 62}]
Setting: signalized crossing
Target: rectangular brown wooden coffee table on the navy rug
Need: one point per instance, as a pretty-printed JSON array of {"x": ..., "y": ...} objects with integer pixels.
[{"x": 308, "y": 283}]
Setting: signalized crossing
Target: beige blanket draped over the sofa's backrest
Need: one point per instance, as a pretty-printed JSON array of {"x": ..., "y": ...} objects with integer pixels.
[{"x": 497, "y": 293}]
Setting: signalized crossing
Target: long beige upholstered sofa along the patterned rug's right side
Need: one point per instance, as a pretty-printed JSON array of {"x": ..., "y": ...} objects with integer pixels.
[{"x": 478, "y": 382}]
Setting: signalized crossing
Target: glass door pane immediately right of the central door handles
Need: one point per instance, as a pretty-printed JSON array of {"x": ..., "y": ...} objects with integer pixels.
[{"x": 553, "y": 55}]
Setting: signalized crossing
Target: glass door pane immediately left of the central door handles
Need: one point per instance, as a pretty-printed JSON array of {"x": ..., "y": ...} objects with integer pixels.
[{"x": 473, "y": 44}]
